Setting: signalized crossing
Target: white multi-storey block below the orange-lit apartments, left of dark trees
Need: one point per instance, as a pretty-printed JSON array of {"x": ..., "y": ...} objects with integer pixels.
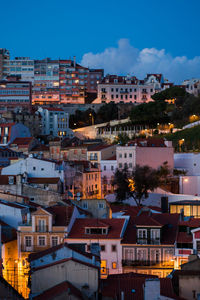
[{"x": 55, "y": 121}]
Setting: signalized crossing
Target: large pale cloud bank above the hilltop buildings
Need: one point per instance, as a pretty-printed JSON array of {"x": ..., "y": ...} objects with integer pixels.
[{"x": 126, "y": 59}]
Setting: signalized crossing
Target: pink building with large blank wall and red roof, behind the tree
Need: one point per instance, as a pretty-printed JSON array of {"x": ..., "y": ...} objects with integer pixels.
[{"x": 151, "y": 152}]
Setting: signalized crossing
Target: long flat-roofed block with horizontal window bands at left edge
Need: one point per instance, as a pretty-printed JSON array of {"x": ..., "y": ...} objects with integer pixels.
[{"x": 15, "y": 95}]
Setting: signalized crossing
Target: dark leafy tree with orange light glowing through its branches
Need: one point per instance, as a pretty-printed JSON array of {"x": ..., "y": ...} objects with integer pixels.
[{"x": 135, "y": 184}]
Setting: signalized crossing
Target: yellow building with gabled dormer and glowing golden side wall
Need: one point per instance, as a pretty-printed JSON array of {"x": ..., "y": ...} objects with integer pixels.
[{"x": 46, "y": 229}]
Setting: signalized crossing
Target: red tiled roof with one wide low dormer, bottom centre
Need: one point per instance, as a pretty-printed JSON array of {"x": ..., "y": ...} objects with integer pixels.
[{"x": 114, "y": 231}]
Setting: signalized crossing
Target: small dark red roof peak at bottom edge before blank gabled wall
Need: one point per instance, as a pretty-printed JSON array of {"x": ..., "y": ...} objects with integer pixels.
[{"x": 59, "y": 289}]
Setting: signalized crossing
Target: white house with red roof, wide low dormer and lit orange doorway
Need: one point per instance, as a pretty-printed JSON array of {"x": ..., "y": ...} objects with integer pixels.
[{"x": 108, "y": 233}]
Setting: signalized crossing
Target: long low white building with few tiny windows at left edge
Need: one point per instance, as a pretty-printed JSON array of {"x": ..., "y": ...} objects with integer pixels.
[{"x": 34, "y": 167}]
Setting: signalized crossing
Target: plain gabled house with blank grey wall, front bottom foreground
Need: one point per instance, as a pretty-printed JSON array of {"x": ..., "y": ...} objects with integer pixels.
[{"x": 64, "y": 272}]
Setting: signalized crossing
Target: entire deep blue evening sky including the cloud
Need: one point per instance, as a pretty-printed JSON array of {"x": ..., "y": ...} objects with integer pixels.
[{"x": 135, "y": 37}]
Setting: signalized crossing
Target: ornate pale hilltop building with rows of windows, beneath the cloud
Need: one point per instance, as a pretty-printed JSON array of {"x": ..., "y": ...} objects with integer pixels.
[{"x": 128, "y": 89}]
